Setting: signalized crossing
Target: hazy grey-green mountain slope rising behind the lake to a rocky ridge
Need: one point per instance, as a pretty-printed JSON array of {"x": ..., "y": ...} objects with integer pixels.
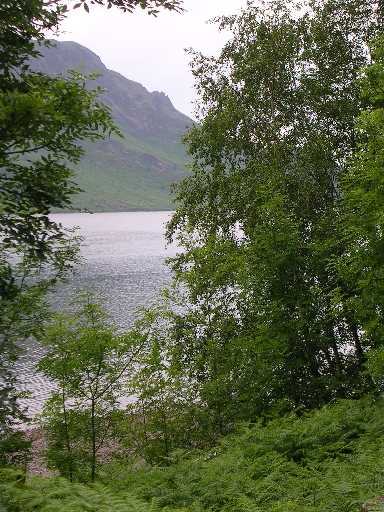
[{"x": 133, "y": 173}]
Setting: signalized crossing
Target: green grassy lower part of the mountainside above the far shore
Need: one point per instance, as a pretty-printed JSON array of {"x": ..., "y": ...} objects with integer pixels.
[{"x": 114, "y": 181}]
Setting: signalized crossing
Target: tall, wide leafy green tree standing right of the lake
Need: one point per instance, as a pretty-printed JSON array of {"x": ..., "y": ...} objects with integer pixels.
[{"x": 274, "y": 314}]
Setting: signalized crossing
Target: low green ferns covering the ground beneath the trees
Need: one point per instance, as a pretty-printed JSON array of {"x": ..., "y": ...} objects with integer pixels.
[{"x": 328, "y": 460}]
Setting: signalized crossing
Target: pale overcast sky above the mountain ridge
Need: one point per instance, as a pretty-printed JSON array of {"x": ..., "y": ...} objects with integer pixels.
[{"x": 151, "y": 50}]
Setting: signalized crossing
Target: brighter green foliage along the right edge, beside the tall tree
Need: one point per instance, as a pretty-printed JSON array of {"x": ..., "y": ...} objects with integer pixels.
[{"x": 361, "y": 261}]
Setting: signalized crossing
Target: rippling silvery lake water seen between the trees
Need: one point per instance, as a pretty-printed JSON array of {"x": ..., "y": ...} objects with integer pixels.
[{"x": 123, "y": 263}]
